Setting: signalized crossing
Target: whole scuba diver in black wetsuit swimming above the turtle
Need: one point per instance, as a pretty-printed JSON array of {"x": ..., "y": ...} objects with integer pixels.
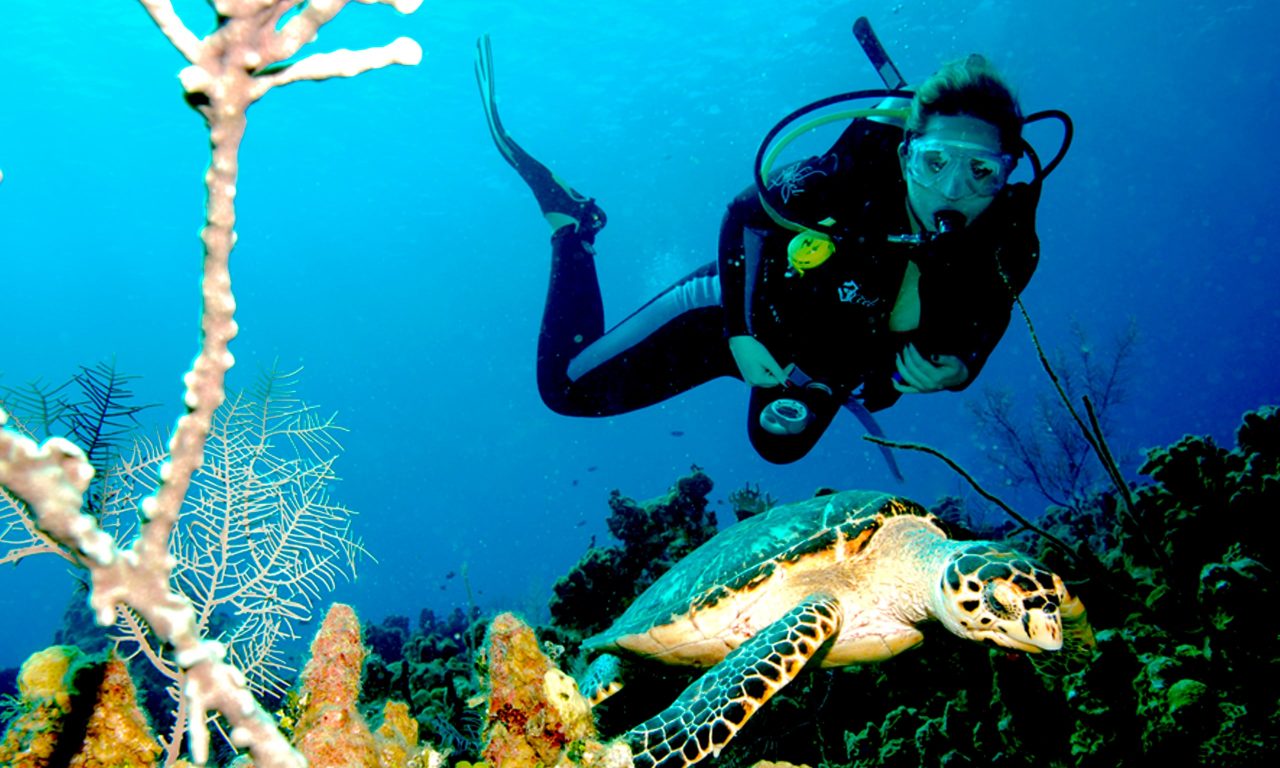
[{"x": 886, "y": 267}]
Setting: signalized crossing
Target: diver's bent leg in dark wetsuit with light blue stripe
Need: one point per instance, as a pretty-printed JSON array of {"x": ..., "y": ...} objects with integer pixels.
[{"x": 669, "y": 346}]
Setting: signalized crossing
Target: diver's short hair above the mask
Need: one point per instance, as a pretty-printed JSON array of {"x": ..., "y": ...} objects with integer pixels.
[{"x": 970, "y": 86}]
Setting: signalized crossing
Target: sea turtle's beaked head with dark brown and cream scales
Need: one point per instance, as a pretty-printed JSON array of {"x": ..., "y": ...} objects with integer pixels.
[{"x": 994, "y": 595}]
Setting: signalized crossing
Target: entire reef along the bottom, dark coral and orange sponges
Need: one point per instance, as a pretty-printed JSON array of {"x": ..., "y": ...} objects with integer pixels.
[{"x": 1183, "y": 674}]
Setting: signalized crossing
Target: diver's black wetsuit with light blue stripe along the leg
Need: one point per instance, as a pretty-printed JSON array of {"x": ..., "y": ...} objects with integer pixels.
[{"x": 833, "y": 322}]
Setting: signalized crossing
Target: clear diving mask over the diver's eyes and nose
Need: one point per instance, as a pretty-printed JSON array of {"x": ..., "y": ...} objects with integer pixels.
[{"x": 952, "y": 167}]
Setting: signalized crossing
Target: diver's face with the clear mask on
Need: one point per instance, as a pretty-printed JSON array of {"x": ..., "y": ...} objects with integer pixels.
[{"x": 954, "y": 167}]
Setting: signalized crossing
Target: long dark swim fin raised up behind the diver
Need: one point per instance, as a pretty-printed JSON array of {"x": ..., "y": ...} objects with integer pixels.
[{"x": 561, "y": 204}]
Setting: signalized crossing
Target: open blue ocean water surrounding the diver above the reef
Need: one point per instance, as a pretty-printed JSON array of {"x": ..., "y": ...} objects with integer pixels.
[{"x": 387, "y": 249}]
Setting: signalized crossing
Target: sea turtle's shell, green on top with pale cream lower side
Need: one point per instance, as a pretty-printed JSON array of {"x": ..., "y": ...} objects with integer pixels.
[{"x": 749, "y": 575}]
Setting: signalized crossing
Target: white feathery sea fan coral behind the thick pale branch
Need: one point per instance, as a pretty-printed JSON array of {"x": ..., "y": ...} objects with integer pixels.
[{"x": 259, "y": 541}]
